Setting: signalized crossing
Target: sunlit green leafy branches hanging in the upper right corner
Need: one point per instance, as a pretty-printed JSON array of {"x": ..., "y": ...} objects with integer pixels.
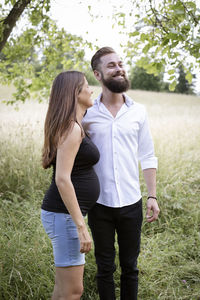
[{"x": 163, "y": 33}]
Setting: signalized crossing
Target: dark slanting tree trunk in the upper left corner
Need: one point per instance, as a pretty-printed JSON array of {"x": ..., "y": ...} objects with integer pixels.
[{"x": 11, "y": 19}]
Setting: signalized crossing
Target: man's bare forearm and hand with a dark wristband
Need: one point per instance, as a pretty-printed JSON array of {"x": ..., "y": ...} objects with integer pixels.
[{"x": 152, "y": 205}]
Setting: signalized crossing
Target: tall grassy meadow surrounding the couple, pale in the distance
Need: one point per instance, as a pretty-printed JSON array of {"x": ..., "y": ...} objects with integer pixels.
[{"x": 169, "y": 261}]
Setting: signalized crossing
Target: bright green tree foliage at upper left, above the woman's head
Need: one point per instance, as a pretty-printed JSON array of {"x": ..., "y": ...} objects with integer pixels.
[{"x": 32, "y": 59}]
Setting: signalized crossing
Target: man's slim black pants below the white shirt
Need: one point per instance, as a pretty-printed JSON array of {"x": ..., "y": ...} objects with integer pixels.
[{"x": 104, "y": 222}]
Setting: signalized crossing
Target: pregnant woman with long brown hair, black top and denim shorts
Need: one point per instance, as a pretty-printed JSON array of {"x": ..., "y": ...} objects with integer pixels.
[{"x": 74, "y": 187}]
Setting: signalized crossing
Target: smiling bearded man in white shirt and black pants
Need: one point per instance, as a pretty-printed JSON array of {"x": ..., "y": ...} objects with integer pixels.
[{"x": 119, "y": 128}]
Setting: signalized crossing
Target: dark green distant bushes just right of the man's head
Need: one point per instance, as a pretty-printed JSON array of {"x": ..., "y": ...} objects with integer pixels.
[{"x": 141, "y": 80}]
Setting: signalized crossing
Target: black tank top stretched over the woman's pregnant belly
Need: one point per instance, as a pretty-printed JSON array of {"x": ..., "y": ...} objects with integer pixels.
[{"x": 83, "y": 177}]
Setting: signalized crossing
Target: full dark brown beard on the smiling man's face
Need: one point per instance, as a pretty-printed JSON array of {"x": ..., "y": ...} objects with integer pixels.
[{"x": 116, "y": 86}]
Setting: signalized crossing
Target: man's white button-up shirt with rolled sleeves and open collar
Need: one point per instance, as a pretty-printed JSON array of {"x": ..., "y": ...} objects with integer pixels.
[{"x": 122, "y": 142}]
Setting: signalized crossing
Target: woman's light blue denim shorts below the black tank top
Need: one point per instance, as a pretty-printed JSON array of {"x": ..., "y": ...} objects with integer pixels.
[{"x": 63, "y": 233}]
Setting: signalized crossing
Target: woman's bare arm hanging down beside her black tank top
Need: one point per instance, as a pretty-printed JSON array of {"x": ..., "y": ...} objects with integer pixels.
[{"x": 66, "y": 154}]
